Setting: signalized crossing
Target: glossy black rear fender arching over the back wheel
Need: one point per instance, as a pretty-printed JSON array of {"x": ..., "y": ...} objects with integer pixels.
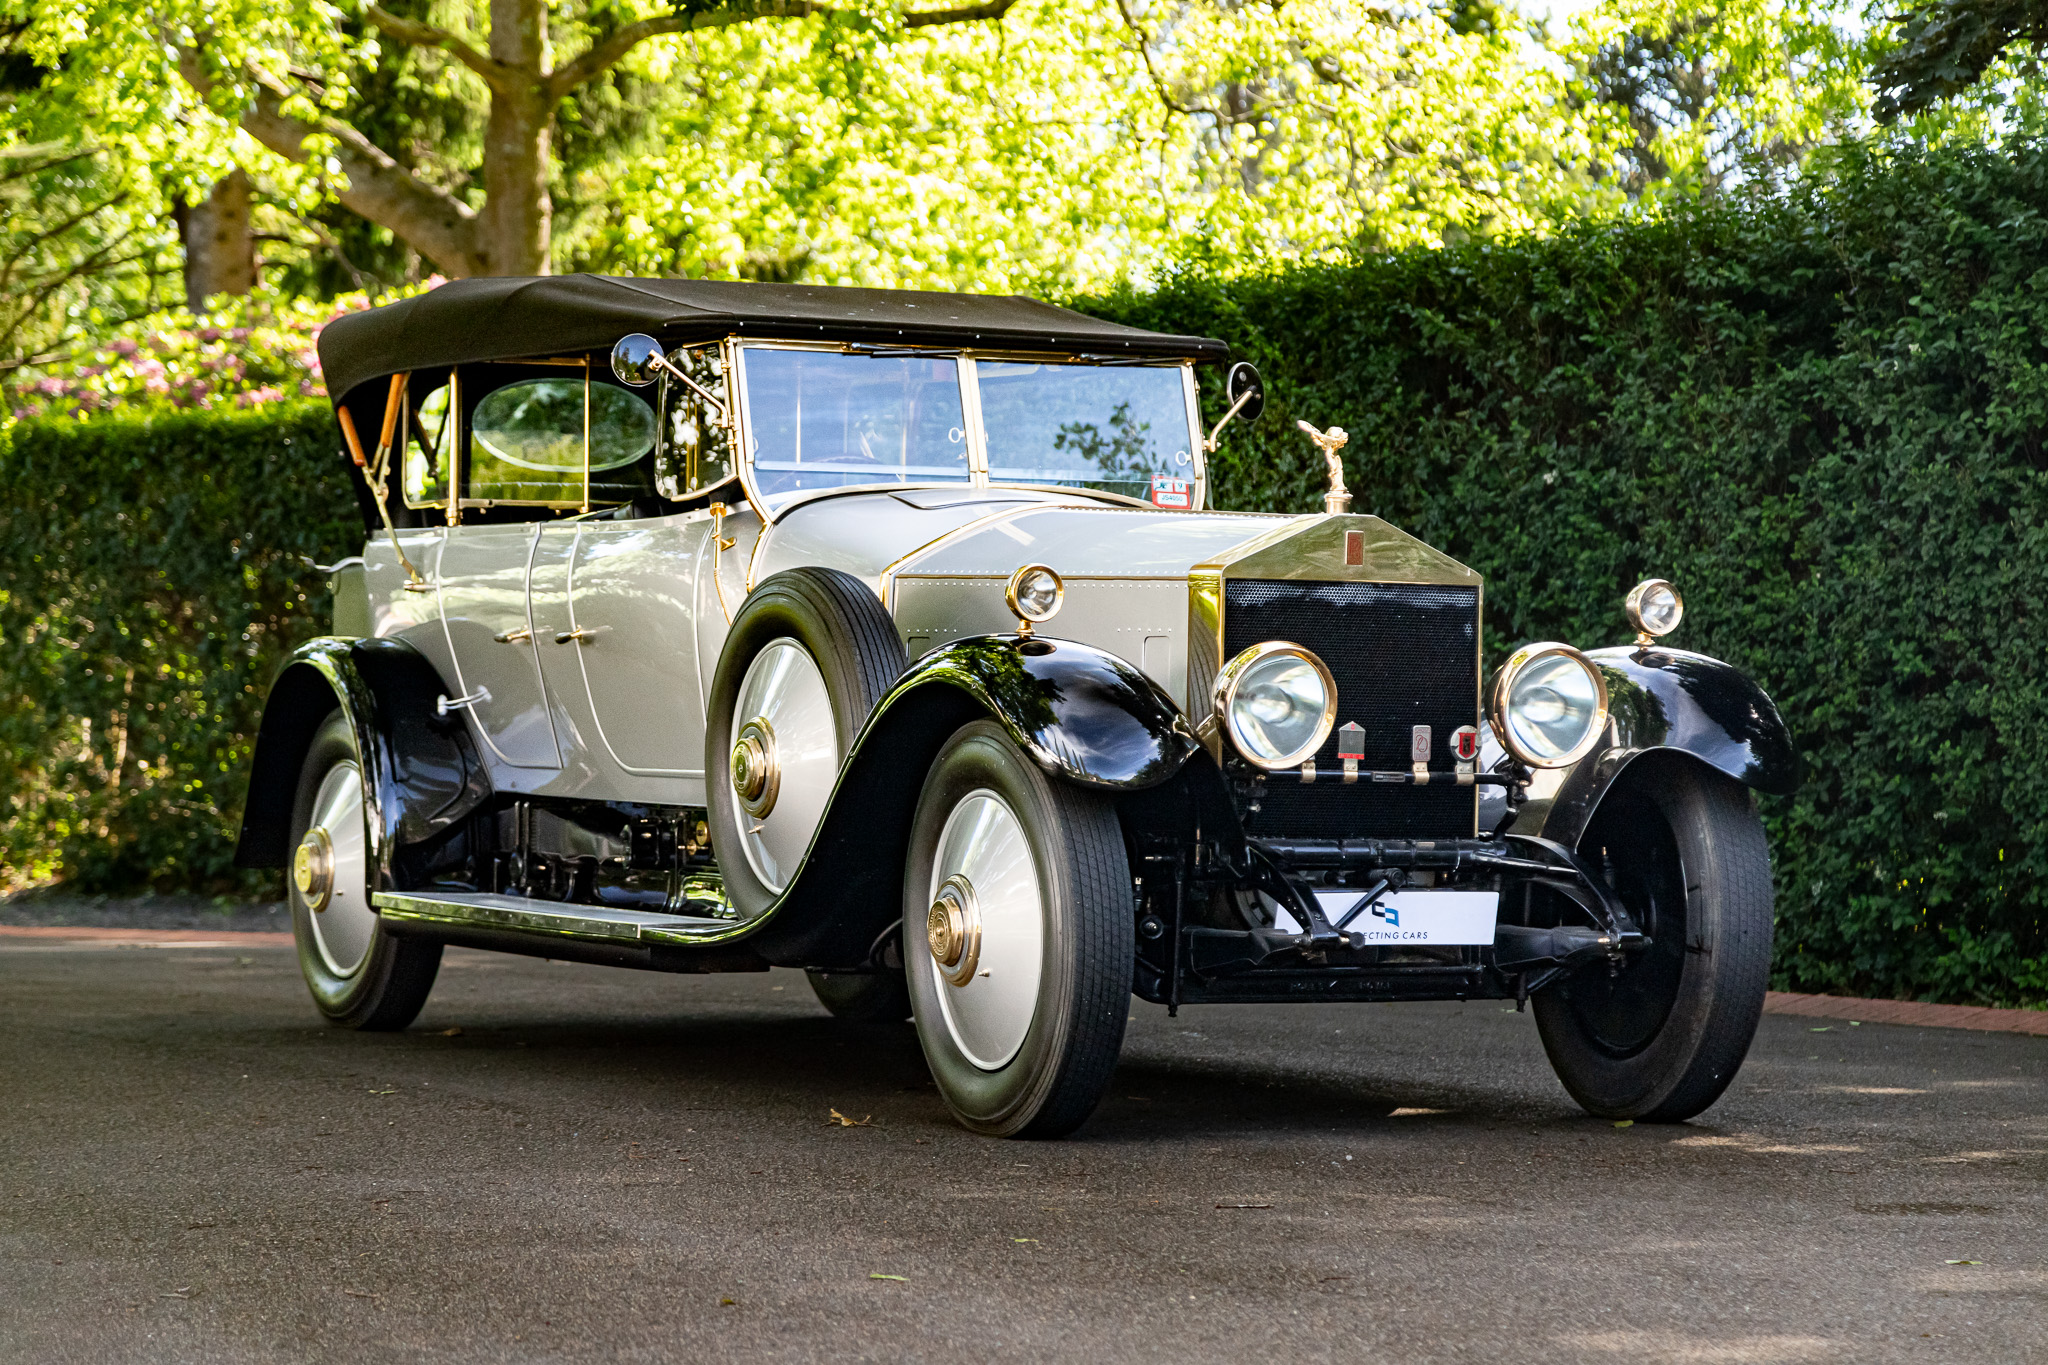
[{"x": 421, "y": 770}]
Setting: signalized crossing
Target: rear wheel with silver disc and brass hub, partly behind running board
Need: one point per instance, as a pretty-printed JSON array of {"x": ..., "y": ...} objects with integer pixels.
[{"x": 359, "y": 975}]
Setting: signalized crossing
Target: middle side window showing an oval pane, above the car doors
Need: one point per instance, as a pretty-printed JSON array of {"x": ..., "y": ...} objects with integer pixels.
[{"x": 527, "y": 443}]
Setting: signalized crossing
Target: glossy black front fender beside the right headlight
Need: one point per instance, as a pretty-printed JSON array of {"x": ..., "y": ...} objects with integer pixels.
[{"x": 1670, "y": 701}]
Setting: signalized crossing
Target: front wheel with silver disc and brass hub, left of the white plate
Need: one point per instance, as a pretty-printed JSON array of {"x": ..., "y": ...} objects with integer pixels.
[{"x": 1017, "y": 938}]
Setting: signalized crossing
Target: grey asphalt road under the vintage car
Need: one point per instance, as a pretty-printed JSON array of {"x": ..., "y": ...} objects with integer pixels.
[{"x": 570, "y": 1163}]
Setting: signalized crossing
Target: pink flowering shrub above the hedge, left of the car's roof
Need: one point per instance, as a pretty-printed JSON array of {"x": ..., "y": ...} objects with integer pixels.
[{"x": 243, "y": 355}]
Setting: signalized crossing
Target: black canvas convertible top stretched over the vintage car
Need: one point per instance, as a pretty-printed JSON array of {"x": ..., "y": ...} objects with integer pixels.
[{"x": 511, "y": 318}]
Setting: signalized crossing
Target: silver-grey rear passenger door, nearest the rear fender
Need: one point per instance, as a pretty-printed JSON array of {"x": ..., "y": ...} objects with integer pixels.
[{"x": 484, "y": 609}]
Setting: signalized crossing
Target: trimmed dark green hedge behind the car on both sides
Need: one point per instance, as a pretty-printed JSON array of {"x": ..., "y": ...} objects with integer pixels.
[{"x": 1820, "y": 416}]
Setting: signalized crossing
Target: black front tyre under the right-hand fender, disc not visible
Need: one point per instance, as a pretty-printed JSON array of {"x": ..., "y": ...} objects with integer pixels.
[{"x": 1662, "y": 1039}]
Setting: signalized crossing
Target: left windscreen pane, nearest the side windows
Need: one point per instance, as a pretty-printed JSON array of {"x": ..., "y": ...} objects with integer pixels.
[{"x": 824, "y": 421}]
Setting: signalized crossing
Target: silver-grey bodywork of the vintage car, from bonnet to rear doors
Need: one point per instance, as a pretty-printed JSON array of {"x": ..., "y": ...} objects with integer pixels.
[{"x": 589, "y": 646}]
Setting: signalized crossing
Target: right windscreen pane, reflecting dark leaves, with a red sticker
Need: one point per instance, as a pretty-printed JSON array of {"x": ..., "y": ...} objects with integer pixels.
[{"x": 1101, "y": 427}]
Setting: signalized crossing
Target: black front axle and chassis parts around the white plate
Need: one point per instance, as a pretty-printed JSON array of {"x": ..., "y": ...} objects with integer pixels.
[{"x": 1185, "y": 963}]
